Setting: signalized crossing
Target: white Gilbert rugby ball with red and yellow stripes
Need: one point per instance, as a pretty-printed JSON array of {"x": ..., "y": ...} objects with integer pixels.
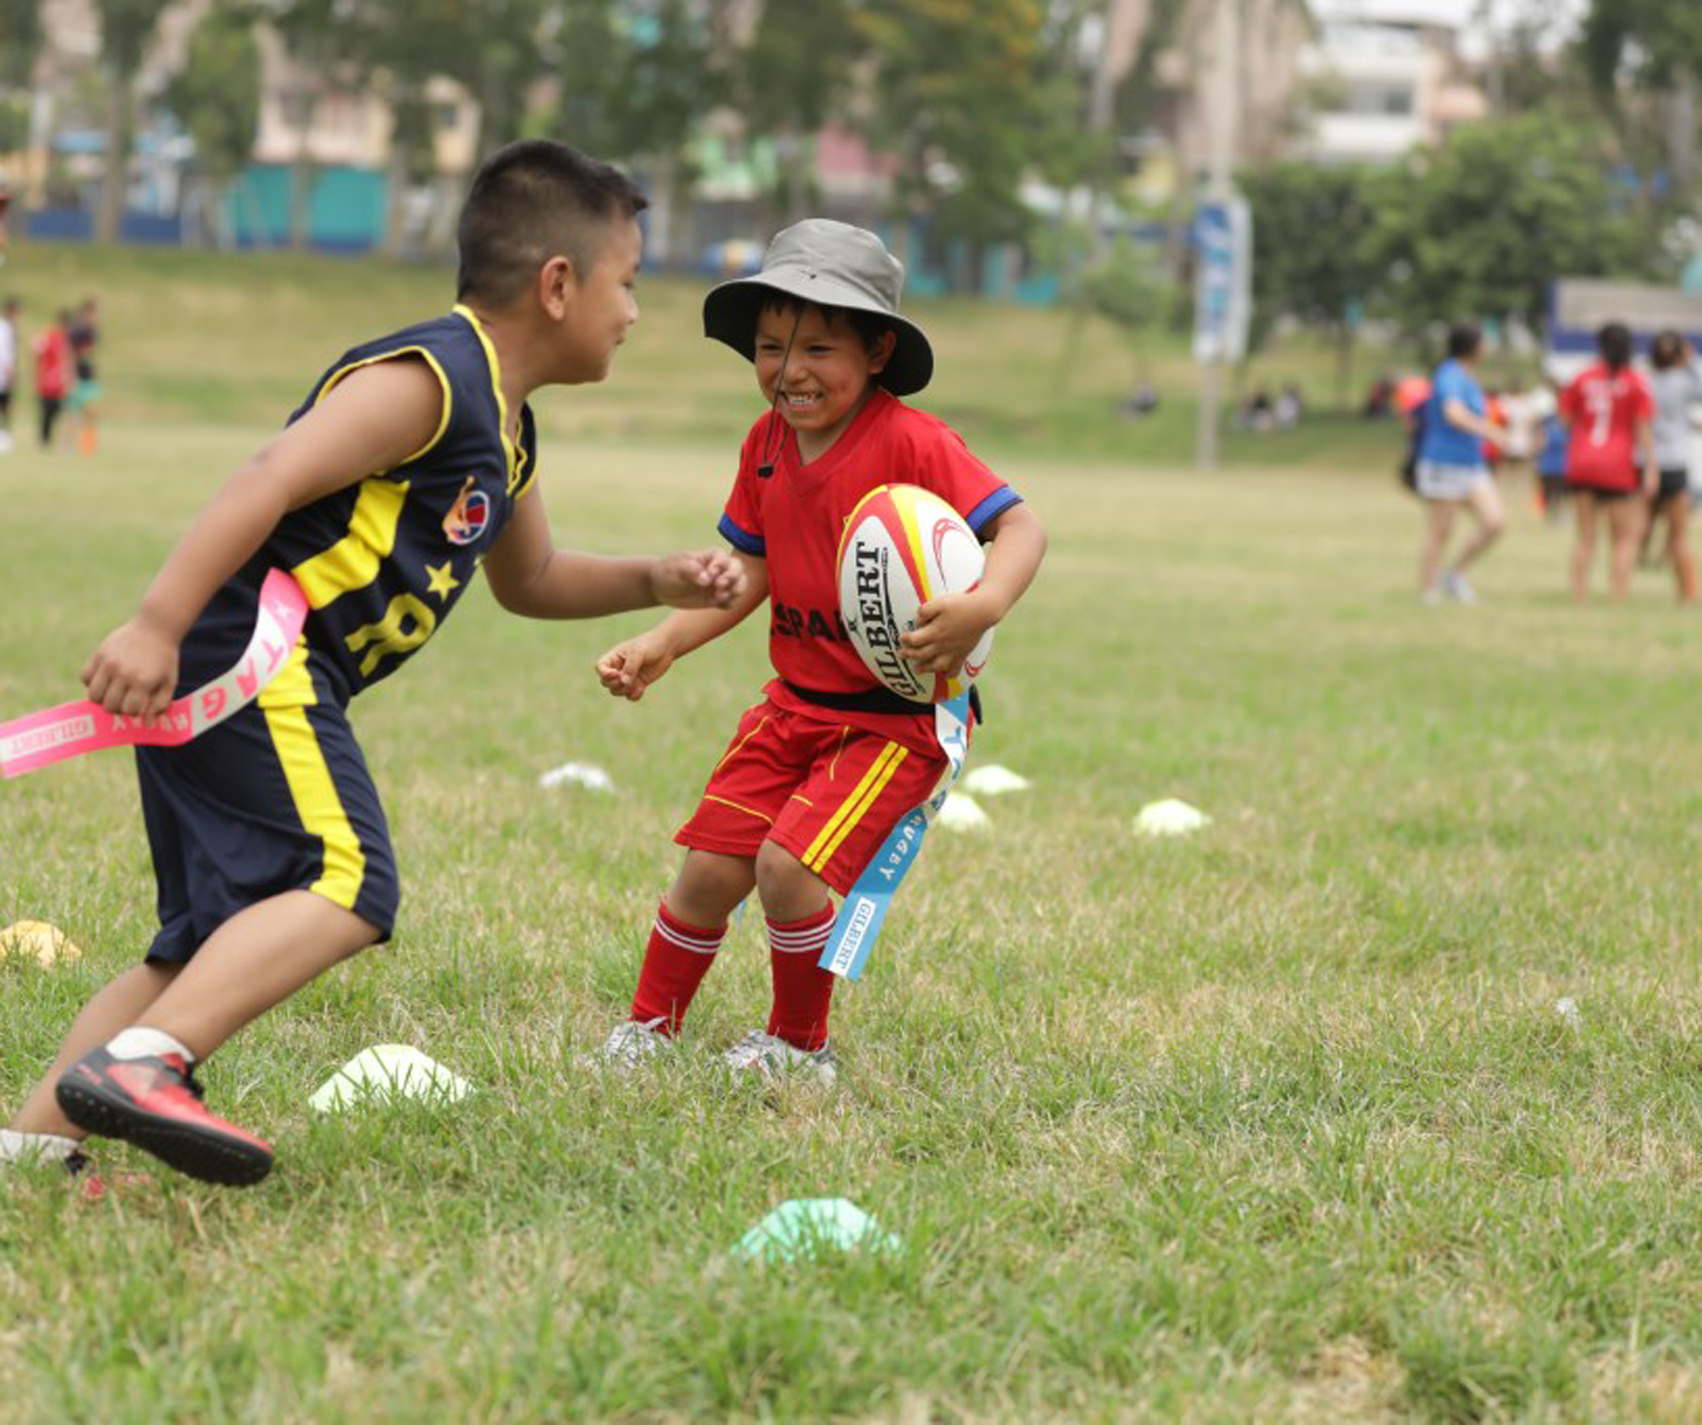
[{"x": 903, "y": 547}]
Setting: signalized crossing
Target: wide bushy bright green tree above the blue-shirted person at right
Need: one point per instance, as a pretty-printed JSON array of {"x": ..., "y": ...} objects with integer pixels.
[{"x": 1483, "y": 224}]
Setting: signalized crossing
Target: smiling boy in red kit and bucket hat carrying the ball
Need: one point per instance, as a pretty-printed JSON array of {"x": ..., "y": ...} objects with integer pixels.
[{"x": 830, "y": 762}]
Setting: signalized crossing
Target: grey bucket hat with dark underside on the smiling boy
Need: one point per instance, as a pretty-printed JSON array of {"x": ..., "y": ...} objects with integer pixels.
[{"x": 831, "y": 265}]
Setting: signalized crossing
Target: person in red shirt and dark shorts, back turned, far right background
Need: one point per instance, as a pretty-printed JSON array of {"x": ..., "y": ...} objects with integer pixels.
[{"x": 1609, "y": 411}]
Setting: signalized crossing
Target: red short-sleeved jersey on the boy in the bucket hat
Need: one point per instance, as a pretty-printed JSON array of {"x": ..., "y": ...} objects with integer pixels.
[{"x": 796, "y": 517}]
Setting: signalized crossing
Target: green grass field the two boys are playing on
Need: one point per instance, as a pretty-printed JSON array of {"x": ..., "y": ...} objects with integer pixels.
[{"x": 1272, "y": 1123}]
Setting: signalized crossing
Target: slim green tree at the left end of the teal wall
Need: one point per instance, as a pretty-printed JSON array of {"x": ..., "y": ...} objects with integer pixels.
[{"x": 217, "y": 98}]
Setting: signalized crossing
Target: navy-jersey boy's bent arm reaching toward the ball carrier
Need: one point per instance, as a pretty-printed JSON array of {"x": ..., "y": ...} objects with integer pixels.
[{"x": 532, "y": 576}]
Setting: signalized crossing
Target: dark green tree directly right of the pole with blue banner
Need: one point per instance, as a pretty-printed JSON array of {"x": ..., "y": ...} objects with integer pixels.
[{"x": 1316, "y": 256}]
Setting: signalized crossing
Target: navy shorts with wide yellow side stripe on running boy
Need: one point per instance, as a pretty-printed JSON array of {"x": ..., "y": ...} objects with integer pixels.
[{"x": 275, "y": 799}]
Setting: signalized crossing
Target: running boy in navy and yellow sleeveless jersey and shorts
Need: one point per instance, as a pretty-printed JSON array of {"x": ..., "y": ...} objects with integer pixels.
[{"x": 411, "y": 466}]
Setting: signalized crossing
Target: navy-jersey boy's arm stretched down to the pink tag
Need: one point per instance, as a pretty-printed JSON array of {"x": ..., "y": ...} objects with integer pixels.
[{"x": 372, "y": 421}]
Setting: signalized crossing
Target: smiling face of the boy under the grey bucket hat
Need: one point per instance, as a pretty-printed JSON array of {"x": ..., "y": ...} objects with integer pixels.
[{"x": 828, "y": 370}]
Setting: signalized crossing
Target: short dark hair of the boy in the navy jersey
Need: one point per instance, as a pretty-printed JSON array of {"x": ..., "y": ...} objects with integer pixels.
[{"x": 530, "y": 203}]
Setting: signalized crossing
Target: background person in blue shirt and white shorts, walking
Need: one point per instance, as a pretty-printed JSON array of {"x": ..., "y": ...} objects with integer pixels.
[{"x": 1451, "y": 469}]
